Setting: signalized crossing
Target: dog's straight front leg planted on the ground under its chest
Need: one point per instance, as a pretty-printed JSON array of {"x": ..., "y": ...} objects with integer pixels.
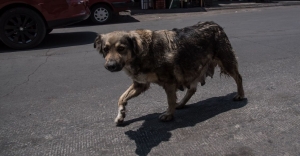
[{"x": 170, "y": 90}]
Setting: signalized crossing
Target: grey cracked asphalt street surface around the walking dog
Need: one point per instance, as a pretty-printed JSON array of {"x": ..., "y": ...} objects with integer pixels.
[{"x": 58, "y": 99}]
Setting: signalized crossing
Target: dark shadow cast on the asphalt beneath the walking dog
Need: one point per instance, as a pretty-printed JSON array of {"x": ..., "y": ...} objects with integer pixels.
[{"x": 153, "y": 132}]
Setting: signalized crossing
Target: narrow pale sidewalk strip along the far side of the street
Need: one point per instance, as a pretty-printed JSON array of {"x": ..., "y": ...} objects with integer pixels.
[{"x": 216, "y": 6}]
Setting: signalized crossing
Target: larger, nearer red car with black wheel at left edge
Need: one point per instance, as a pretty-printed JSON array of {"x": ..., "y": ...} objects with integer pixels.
[{"x": 24, "y": 23}]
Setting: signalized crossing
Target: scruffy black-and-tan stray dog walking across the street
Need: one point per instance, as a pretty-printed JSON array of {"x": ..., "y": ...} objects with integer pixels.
[{"x": 175, "y": 59}]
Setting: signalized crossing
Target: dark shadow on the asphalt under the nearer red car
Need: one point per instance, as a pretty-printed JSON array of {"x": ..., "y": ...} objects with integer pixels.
[{"x": 58, "y": 40}]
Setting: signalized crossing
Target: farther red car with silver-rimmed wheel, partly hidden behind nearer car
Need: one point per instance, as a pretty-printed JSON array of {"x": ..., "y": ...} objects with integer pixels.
[{"x": 102, "y": 10}]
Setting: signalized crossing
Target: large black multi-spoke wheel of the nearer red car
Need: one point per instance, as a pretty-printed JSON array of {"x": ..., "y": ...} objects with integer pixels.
[{"x": 22, "y": 28}]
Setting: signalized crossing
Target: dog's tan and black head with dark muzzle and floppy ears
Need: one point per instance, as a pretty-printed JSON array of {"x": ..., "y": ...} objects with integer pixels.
[{"x": 118, "y": 48}]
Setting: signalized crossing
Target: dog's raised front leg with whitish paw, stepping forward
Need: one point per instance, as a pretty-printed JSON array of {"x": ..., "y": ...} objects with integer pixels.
[{"x": 134, "y": 90}]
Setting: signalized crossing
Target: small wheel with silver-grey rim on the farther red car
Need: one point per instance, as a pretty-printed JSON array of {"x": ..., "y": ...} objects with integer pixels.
[{"x": 100, "y": 14}]
